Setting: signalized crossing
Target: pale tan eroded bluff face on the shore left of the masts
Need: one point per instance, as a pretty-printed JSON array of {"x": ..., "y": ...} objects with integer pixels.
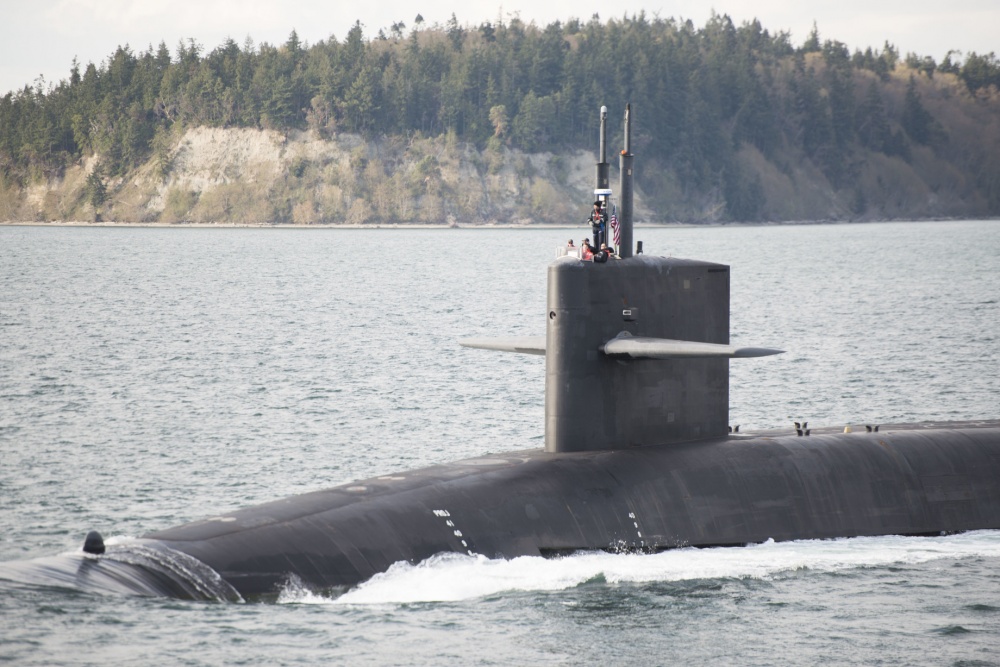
[{"x": 262, "y": 176}]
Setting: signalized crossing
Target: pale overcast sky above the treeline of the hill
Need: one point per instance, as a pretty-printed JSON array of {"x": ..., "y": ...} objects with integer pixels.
[{"x": 41, "y": 37}]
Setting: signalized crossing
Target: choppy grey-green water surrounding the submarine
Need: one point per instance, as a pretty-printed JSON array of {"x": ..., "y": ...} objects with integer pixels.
[{"x": 153, "y": 376}]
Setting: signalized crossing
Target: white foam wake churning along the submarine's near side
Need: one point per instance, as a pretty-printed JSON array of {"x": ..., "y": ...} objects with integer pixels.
[{"x": 452, "y": 577}]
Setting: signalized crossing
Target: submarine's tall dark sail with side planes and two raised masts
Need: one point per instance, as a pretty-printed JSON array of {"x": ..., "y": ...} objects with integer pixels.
[{"x": 636, "y": 349}]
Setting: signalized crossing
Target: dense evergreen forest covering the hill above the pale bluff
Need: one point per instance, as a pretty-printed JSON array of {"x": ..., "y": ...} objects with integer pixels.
[{"x": 724, "y": 114}]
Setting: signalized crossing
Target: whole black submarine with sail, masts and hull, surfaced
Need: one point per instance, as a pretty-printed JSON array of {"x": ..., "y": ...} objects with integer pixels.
[{"x": 638, "y": 456}]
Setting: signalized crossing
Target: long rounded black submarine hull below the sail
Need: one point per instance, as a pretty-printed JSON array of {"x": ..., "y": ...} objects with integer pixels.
[{"x": 920, "y": 479}]
